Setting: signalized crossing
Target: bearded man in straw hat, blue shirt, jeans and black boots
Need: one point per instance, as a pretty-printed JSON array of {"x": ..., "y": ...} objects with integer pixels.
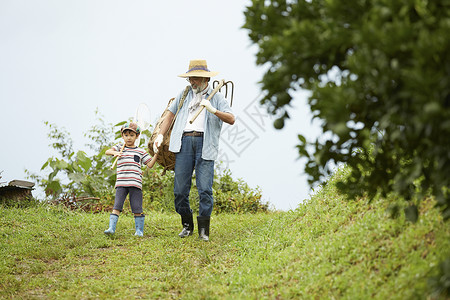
[{"x": 196, "y": 145}]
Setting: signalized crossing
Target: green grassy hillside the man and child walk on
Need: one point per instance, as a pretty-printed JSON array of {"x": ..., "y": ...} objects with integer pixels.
[{"x": 327, "y": 248}]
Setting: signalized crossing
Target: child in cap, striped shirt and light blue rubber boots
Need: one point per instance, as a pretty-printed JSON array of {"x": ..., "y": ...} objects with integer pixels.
[{"x": 129, "y": 177}]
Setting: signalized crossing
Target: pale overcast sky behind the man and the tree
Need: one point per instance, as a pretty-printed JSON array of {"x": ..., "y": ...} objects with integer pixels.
[{"x": 60, "y": 61}]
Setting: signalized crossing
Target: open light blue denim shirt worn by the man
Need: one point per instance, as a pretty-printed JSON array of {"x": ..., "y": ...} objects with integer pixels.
[{"x": 213, "y": 126}]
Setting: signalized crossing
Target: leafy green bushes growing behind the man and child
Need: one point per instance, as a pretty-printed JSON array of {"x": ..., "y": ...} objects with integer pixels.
[{"x": 80, "y": 181}]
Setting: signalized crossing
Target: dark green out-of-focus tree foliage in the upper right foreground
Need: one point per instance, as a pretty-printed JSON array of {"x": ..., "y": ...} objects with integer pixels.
[{"x": 379, "y": 76}]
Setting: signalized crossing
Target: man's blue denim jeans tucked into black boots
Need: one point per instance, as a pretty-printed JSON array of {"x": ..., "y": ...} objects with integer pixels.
[{"x": 190, "y": 157}]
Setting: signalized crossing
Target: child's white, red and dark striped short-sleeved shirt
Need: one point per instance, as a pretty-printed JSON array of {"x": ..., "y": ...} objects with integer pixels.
[{"x": 129, "y": 166}]
